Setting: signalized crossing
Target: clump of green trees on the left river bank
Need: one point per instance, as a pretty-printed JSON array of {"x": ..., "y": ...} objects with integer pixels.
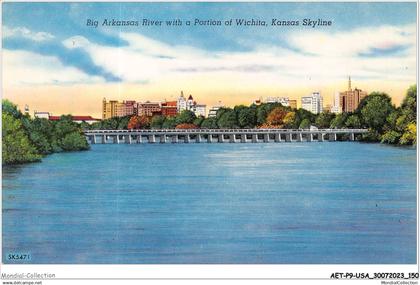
[{"x": 27, "y": 140}]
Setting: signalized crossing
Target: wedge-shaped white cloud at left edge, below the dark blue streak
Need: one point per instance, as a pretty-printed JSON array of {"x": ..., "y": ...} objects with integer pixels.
[{"x": 28, "y": 68}]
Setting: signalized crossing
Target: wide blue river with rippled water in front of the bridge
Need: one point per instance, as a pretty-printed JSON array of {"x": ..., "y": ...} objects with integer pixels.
[{"x": 299, "y": 203}]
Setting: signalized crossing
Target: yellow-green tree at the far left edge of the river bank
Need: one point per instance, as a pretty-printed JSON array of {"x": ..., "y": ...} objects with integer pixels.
[{"x": 16, "y": 146}]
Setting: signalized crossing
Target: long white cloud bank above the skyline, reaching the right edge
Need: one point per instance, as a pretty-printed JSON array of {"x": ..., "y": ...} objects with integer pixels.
[{"x": 385, "y": 52}]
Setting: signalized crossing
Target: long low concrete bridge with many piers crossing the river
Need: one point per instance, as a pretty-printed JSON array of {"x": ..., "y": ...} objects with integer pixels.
[{"x": 218, "y": 135}]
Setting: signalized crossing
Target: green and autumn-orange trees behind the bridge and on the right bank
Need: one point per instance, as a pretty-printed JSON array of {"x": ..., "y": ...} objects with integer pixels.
[{"x": 386, "y": 122}]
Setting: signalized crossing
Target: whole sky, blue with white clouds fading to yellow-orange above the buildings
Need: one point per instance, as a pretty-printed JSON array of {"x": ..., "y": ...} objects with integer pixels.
[{"x": 63, "y": 65}]
